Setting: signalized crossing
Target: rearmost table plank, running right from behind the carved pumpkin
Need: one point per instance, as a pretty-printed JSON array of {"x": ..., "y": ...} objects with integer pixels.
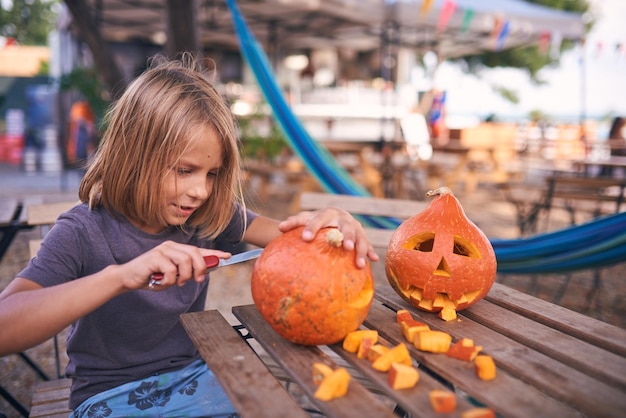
[{"x": 583, "y": 327}]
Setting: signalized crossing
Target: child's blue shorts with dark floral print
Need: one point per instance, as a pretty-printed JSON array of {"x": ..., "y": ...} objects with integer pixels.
[{"x": 190, "y": 392}]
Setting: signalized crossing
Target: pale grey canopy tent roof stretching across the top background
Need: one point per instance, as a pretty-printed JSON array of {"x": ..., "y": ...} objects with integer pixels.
[{"x": 351, "y": 24}]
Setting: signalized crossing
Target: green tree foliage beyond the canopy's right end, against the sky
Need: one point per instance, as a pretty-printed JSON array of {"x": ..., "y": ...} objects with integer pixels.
[{"x": 530, "y": 58}]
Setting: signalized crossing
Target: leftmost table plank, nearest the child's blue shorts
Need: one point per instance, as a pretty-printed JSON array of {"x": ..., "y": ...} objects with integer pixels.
[{"x": 238, "y": 368}]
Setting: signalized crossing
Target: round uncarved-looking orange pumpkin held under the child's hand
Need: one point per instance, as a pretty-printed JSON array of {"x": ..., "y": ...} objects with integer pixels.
[{"x": 311, "y": 292}]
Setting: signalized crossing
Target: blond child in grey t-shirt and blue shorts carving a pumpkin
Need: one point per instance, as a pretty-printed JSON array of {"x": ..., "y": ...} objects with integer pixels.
[{"x": 162, "y": 192}]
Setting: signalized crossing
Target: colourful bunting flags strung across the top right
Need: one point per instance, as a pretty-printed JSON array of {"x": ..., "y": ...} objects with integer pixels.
[{"x": 549, "y": 41}]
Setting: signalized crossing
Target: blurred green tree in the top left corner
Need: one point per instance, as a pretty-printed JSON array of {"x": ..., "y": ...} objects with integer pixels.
[{"x": 28, "y": 21}]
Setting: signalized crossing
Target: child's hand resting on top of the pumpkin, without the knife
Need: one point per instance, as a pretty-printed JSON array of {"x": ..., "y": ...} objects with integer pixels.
[{"x": 354, "y": 235}]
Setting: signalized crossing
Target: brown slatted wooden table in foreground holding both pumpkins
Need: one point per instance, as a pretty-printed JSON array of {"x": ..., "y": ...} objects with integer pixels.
[{"x": 552, "y": 362}]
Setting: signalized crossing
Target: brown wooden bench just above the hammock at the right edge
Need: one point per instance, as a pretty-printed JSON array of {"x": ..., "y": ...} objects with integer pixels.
[{"x": 593, "y": 195}]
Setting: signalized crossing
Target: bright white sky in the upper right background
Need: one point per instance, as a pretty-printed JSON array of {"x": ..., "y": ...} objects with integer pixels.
[{"x": 567, "y": 94}]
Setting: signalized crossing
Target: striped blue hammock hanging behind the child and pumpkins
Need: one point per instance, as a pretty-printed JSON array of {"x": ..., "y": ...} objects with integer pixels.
[{"x": 599, "y": 243}]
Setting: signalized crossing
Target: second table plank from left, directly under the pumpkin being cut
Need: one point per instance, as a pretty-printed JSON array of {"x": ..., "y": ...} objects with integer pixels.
[{"x": 297, "y": 360}]
